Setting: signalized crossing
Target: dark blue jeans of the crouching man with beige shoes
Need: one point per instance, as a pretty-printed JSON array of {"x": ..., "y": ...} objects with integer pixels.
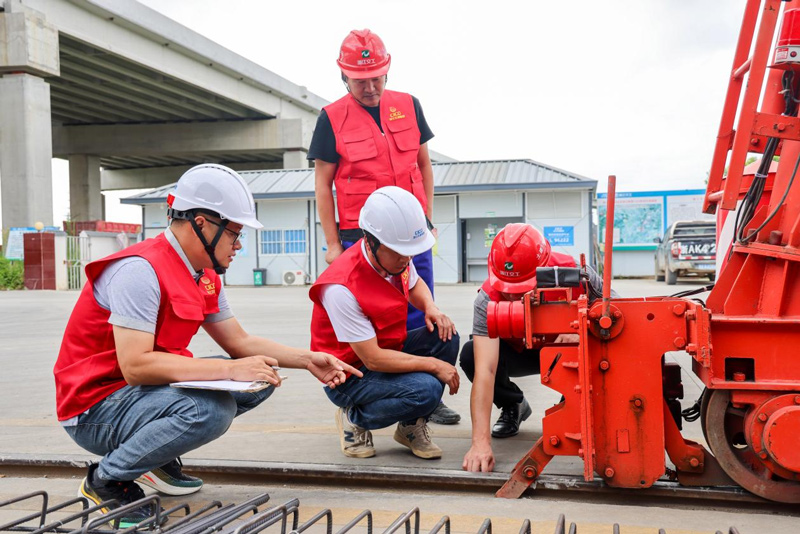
[{"x": 381, "y": 399}]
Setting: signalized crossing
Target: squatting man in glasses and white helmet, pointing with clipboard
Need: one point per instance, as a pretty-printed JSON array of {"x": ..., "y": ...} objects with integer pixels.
[{"x": 127, "y": 340}]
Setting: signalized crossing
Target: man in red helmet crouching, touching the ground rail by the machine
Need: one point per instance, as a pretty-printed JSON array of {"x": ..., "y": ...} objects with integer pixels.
[{"x": 517, "y": 250}]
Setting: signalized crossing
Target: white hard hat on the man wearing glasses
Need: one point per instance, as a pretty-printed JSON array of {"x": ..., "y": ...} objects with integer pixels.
[{"x": 219, "y": 189}]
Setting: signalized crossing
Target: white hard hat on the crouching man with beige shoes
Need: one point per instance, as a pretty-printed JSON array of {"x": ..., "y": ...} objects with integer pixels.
[{"x": 395, "y": 217}]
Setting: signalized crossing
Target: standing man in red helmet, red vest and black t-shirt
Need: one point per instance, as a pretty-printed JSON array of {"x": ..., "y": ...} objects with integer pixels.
[{"x": 368, "y": 139}]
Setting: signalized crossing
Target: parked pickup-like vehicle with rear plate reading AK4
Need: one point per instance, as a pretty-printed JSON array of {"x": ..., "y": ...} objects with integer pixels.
[{"x": 689, "y": 248}]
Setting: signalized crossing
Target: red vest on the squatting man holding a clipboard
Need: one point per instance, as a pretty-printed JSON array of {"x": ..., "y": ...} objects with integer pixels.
[{"x": 87, "y": 370}]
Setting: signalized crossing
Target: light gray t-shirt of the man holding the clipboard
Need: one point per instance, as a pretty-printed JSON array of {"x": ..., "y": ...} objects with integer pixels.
[{"x": 129, "y": 289}]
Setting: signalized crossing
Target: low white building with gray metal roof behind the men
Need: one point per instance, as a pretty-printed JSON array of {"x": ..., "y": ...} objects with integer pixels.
[{"x": 473, "y": 200}]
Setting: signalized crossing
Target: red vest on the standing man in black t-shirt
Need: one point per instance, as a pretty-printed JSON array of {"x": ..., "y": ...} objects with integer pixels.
[{"x": 370, "y": 159}]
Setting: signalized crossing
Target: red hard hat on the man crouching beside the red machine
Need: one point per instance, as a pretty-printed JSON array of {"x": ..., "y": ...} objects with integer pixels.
[{"x": 517, "y": 250}]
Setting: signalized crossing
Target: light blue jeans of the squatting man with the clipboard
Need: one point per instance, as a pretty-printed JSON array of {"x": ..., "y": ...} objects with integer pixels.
[{"x": 138, "y": 429}]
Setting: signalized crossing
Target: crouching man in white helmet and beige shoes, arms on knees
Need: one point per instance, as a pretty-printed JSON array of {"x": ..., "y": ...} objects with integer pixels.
[{"x": 360, "y": 309}]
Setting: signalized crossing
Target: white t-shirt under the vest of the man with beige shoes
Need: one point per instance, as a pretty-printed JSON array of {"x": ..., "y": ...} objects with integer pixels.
[{"x": 346, "y": 315}]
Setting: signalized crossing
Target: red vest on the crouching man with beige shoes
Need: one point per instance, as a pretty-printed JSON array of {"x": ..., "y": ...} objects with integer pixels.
[{"x": 384, "y": 304}]
